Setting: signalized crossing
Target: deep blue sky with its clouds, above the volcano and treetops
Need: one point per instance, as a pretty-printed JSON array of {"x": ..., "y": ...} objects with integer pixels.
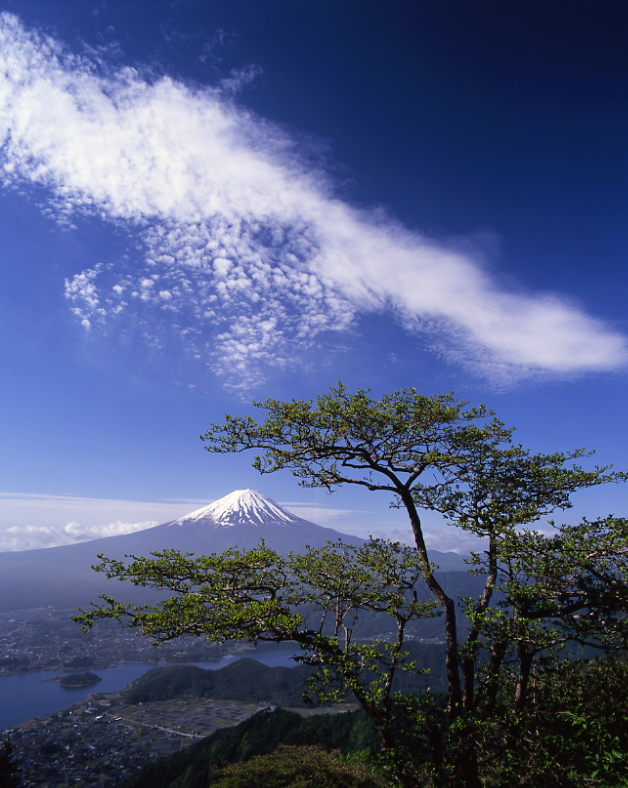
[{"x": 205, "y": 203}]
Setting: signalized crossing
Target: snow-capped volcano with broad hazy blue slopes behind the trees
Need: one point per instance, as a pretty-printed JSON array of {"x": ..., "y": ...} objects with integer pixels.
[{"x": 62, "y": 577}]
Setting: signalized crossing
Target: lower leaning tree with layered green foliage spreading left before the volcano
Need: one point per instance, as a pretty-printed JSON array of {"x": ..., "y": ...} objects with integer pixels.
[{"x": 257, "y": 594}]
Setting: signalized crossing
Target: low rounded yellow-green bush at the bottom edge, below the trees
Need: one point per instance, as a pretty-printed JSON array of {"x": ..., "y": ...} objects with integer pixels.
[{"x": 297, "y": 767}]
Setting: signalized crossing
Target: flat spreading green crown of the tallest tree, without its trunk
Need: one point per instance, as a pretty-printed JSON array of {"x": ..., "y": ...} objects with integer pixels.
[{"x": 341, "y": 438}]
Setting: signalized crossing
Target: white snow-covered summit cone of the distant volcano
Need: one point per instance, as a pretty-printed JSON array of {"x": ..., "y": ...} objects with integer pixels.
[{"x": 241, "y": 507}]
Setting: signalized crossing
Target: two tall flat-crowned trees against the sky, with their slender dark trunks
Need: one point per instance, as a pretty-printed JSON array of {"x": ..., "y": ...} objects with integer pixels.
[{"x": 431, "y": 453}]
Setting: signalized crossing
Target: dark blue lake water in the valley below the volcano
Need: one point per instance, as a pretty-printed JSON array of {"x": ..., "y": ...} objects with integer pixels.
[{"x": 29, "y": 695}]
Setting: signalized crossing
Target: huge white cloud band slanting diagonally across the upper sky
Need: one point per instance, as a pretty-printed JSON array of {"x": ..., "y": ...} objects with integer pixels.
[{"x": 248, "y": 255}]
